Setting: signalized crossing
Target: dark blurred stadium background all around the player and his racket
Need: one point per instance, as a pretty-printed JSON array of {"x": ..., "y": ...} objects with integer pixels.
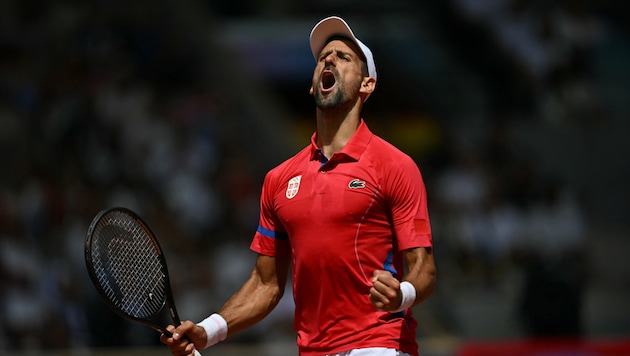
[{"x": 516, "y": 112}]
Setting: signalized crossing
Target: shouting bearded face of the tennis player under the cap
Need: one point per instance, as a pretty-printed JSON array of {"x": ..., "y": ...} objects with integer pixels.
[{"x": 338, "y": 75}]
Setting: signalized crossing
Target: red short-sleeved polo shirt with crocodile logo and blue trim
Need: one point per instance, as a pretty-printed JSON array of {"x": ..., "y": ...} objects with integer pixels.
[{"x": 339, "y": 220}]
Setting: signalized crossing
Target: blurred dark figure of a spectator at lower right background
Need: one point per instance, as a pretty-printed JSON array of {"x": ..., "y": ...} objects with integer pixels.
[{"x": 556, "y": 272}]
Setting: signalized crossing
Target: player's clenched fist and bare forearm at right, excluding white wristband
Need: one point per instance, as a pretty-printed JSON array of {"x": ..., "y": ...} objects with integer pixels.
[{"x": 385, "y": 293}]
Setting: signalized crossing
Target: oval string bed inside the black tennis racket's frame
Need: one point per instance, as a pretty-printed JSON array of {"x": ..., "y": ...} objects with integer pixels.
[{"x": 128, "y": 266}]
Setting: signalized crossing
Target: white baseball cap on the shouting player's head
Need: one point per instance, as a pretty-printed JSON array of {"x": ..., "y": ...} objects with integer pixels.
[{"x": 336, "y": 26}]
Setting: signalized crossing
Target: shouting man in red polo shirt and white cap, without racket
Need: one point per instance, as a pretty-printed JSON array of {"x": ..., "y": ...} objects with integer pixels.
[{"x": 345, "y": 213}]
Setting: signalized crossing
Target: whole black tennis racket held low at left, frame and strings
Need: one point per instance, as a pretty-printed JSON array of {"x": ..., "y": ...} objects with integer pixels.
[{"x": 128, "y": 269}]
